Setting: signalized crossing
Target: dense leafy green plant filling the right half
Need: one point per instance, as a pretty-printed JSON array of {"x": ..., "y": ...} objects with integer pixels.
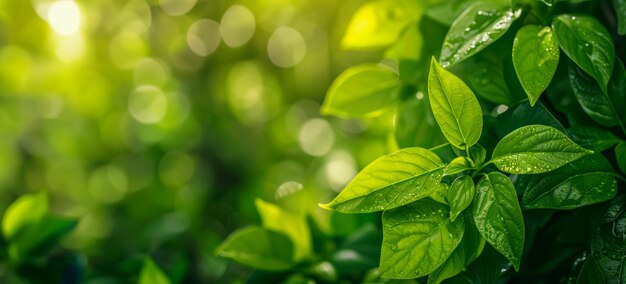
[{"x": 526, "y": 180}]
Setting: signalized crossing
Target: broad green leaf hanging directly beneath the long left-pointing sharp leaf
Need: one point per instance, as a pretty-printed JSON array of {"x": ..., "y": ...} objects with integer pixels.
[{"x": 417, "y": 238}]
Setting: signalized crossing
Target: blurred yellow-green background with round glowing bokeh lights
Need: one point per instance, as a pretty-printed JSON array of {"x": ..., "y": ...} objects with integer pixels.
[{"x": 157, "y": 123}]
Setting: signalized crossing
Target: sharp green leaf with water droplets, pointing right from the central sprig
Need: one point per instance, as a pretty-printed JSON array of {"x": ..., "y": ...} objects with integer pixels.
[{"x": 535, "y": 149}]
